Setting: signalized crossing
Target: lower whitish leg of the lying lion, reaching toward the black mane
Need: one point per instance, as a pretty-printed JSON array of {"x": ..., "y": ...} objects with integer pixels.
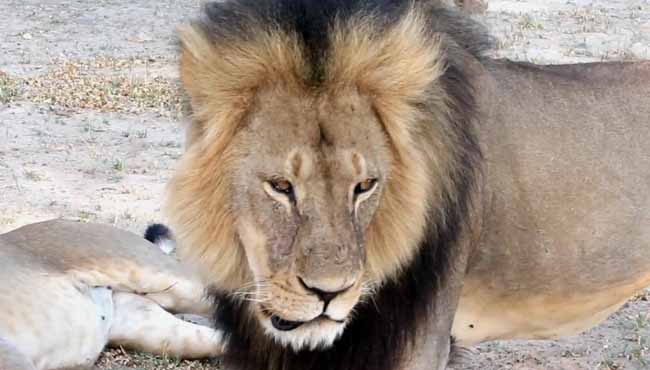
[{"x": 141, "y": 324}]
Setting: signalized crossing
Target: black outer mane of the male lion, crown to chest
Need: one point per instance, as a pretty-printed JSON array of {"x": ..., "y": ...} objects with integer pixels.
[{"x": 384, "y": 327}]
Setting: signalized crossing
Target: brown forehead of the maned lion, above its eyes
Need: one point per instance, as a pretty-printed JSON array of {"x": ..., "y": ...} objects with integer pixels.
[{"x": 323, "y": 131}]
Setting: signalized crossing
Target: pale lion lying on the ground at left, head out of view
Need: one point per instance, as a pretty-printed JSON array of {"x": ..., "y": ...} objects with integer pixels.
[{"x": 69, "y": 289}]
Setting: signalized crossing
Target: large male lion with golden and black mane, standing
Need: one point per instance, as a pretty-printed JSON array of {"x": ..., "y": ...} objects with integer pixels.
[{"x": 362, "y": 183}]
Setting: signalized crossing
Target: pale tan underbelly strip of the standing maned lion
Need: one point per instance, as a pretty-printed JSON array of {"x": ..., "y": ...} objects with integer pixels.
[{"x": 486, "y": 313}]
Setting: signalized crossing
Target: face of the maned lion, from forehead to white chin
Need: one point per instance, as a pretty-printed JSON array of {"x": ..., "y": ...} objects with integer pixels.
[{"x": 308, "y": 182}]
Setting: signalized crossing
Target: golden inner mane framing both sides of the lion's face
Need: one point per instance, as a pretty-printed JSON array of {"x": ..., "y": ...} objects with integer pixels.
[{"x": 222, "y": 91}]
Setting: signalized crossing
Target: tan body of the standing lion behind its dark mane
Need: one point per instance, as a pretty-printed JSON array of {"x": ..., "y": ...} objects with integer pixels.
[{"x": 566, "y": 219}]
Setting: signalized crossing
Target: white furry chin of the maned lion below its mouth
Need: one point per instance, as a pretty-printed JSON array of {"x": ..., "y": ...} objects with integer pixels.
[{"x": 316, "y": 334}]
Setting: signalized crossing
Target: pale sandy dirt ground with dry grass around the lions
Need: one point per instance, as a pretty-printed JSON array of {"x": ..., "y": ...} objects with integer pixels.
[{"x": 90, "y": 129}]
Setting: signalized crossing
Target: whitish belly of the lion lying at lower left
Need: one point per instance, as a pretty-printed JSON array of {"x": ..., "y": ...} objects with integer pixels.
[{"x": 53, "y": 321}]
